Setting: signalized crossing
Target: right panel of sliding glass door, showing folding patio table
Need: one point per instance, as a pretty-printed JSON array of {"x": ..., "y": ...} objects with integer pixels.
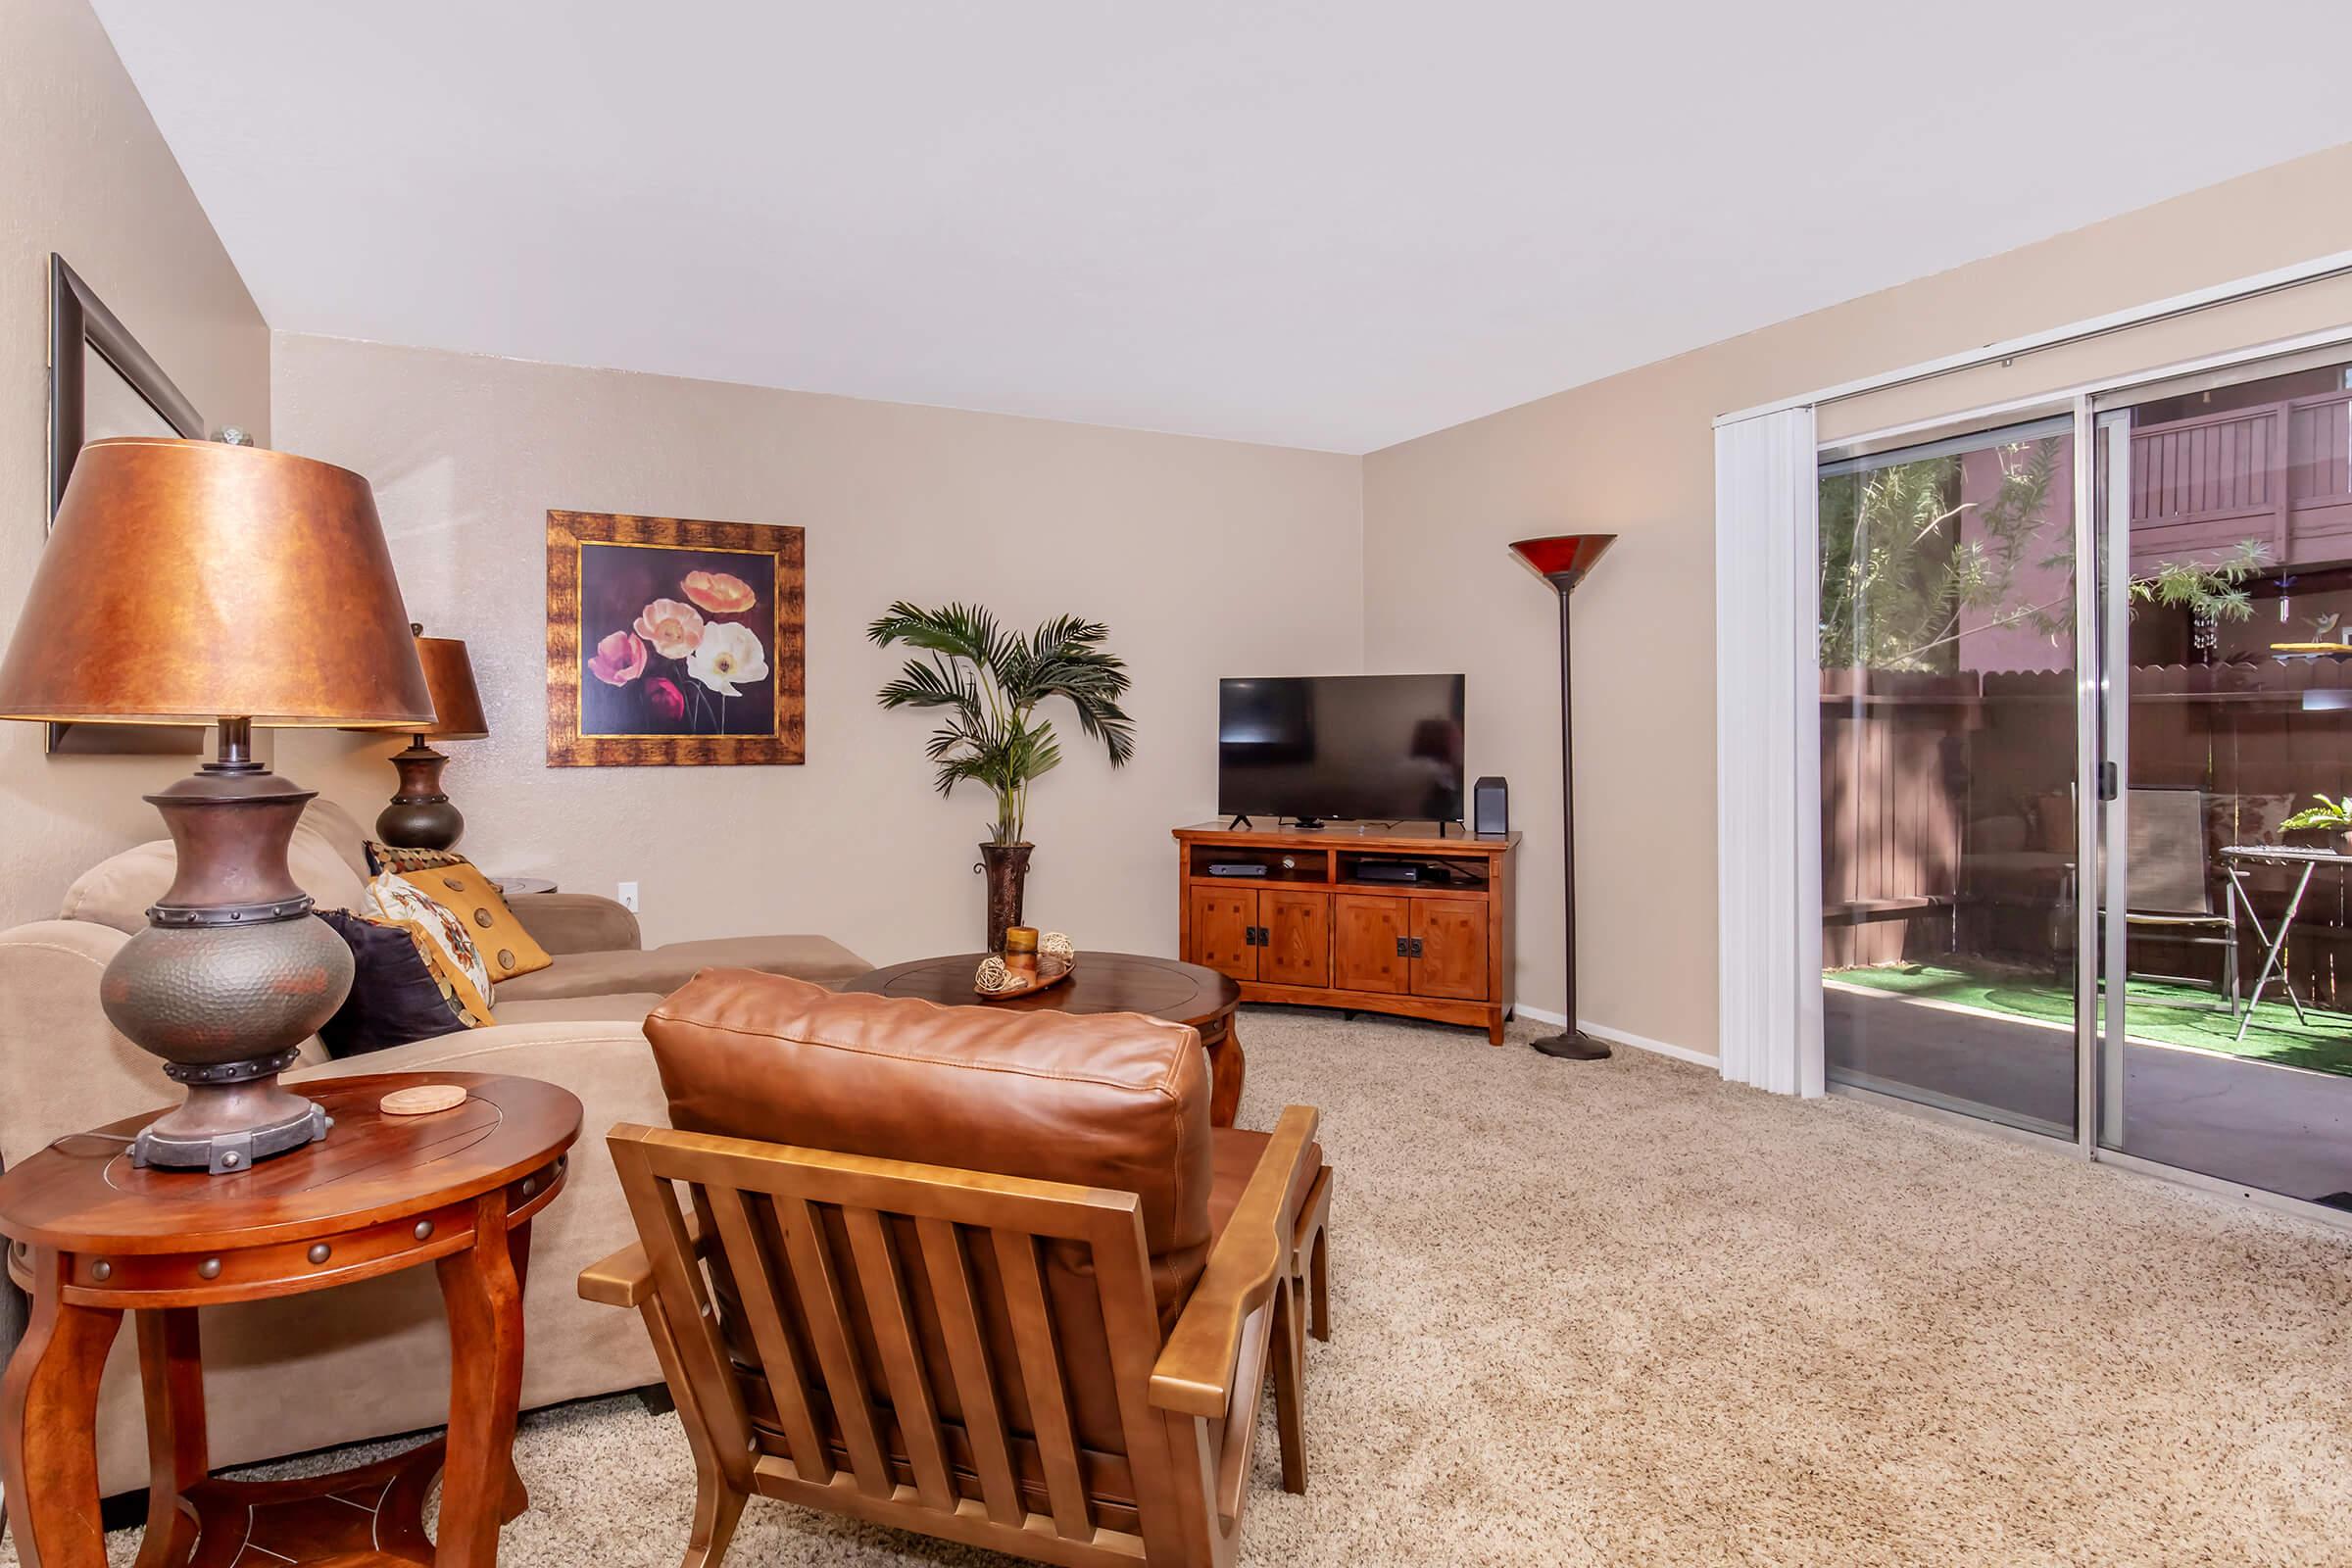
[{"x": 2226, "y": 525}]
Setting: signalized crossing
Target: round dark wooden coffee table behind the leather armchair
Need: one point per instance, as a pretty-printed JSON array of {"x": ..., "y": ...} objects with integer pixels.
[{"x": 1104, "y": 984}]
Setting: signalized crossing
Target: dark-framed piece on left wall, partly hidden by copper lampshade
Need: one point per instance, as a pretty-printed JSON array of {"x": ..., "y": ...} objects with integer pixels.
[{"x": 105, "y": 384}]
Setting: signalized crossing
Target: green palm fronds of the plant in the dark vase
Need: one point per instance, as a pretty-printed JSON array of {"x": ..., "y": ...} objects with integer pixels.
[{"x": 989, "y": 683}]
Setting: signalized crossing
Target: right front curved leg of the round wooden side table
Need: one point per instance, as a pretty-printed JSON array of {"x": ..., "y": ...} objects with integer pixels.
[{"x": 486, "y": 1383}]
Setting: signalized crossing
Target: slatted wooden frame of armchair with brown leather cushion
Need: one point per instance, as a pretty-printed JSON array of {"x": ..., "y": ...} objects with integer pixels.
[{"x": 836, "y": 1332}]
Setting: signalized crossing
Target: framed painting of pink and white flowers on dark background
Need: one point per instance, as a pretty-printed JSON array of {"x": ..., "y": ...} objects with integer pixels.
[{"x": 674, "y": 643}]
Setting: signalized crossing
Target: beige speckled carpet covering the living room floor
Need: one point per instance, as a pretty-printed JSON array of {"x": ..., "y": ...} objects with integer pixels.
[{"x": 1626, "y": 1315}]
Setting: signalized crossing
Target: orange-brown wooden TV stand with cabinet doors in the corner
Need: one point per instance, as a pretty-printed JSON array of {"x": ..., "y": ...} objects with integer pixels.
[{"x": 1318, "y": 932}]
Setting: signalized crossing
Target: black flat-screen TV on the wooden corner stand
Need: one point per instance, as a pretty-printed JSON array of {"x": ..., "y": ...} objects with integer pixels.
[{"x": 1342, "y": 746}]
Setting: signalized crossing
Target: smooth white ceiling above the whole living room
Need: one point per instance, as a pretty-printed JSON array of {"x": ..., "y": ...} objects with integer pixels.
[{"x": 1309, "y": 225}]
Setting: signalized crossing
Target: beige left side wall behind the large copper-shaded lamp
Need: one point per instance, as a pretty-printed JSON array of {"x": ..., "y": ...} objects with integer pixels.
[{"x": 86, "y": 175}]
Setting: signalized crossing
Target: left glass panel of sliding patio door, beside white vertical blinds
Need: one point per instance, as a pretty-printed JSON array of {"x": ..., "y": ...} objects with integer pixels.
[{"x": 1951, "y": 873}]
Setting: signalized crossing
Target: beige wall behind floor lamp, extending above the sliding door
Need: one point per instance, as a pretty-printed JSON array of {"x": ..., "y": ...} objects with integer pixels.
[{"x": 1633, "y": 455}]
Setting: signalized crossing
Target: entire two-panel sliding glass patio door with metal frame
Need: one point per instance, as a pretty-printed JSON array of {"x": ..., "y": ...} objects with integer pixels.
[{"x": 2085, "y": 836}]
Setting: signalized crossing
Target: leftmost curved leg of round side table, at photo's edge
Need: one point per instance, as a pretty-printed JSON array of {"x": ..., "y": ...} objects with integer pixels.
[{"x": 48, "y": 1426}]
